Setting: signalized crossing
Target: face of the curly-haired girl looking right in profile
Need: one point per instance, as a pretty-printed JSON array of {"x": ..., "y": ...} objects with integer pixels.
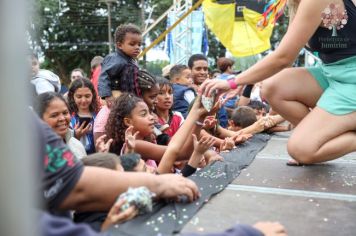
[{"x": 141, "y": 119}]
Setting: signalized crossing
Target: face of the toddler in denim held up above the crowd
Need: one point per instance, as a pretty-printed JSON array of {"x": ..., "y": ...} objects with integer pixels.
[{"x": 131, "y": 45}]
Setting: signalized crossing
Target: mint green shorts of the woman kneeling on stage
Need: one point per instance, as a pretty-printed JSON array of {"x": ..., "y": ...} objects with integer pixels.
[{"x": 338, "y": 80}]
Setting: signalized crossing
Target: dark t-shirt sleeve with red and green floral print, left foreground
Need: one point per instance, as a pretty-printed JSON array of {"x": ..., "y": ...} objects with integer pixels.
[{"x": 60, "y": 169}]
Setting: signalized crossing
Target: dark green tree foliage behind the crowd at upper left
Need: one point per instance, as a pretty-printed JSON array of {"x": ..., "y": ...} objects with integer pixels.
[{"x": 69, "y": 33}]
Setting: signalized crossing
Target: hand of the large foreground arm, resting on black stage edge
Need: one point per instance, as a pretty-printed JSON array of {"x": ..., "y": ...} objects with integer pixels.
[{"x": 172, "y": 186}]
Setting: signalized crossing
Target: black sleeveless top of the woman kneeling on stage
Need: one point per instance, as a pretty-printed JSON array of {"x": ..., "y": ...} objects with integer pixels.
[{"x": 338, "y": 42}]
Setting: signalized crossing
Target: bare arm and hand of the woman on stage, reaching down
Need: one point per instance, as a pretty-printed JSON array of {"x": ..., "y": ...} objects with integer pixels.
[{"x": 294, "y": 40}]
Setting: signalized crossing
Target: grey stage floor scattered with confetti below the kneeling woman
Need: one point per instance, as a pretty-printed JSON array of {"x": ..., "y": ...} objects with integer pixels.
[{"x": 313, "y": 200}]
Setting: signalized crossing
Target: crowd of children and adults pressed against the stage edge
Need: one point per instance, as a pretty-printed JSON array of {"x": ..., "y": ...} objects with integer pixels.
[{"x": 132, "y": 121}]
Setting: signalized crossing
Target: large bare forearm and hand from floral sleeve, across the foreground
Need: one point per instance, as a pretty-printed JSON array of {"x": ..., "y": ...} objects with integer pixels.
[{"x": 109, "y": 184}]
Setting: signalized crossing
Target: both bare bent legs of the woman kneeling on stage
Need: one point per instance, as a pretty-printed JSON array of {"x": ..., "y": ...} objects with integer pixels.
[{"x": 319, "y": 136}]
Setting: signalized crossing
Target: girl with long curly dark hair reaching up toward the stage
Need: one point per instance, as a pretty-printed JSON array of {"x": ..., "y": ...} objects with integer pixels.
[{"x": 132, "y": 111}]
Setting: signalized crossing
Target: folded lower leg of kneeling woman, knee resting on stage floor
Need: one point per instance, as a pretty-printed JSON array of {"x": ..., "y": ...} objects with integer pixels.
[{"x": 322, "y": 136}]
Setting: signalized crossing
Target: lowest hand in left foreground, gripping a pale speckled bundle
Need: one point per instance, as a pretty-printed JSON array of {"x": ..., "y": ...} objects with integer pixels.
[{"x": 116, "y": 216}]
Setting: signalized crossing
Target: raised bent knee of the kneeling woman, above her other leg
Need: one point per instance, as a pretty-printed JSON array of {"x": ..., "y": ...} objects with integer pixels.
[{"x": 291, "y": 93}]
